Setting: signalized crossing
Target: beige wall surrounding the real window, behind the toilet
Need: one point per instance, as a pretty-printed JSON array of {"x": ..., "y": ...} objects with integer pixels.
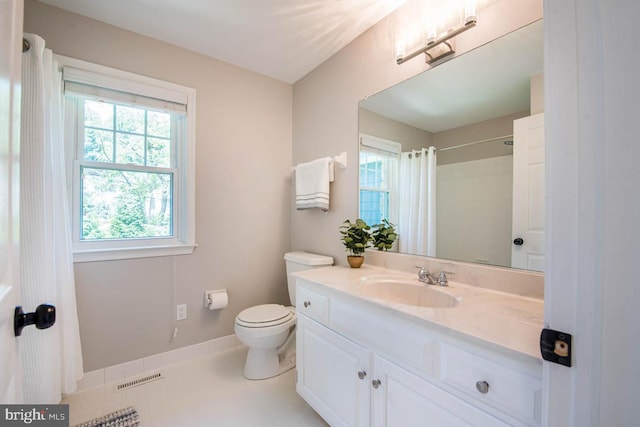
[{"x": 243, "y": 137}]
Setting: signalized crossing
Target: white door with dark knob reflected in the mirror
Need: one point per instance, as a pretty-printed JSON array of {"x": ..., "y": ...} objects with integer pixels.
[{"x": 527, "y": 247}]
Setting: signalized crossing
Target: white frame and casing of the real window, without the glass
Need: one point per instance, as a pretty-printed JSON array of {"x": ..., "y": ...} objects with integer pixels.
[{"x": 183, "y": 240}]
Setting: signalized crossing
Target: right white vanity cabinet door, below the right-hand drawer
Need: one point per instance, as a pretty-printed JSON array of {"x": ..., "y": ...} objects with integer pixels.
[{"x": 403, "y": 399}]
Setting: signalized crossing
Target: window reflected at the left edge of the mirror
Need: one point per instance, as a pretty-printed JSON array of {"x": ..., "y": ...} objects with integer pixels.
[{"x": 378, "y": 171}]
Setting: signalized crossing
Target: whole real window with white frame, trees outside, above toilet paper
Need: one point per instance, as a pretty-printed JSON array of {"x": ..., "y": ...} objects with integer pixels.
[{"x": 133, "y": 163}]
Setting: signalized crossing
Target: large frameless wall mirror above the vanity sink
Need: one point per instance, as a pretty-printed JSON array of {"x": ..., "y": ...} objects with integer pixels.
[{"x": 455, "y": 156}]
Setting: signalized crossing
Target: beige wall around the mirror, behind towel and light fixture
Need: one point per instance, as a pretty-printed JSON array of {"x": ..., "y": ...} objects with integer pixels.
[{"x": 325, "y": 107}]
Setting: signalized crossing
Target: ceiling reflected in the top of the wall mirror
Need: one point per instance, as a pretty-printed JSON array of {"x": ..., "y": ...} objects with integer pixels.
[{"x": 490, "y": 81}]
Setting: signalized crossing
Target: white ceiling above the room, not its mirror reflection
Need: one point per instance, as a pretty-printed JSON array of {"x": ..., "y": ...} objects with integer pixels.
[{"x": 283, "y": 39}]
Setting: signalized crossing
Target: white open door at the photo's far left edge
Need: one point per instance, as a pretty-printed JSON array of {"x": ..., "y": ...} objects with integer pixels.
[{"x": 11, "y": 13}]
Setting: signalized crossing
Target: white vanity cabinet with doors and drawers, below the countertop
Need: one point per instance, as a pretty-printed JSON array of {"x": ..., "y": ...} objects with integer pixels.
[{"x": 362, "y": 365}]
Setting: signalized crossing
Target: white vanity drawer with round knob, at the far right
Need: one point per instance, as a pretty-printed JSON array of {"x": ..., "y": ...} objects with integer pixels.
[{"x": 509, "y": 389}]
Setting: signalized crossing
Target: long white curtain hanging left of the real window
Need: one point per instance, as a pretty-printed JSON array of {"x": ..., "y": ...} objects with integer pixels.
[{"x": 51, "y": 358}]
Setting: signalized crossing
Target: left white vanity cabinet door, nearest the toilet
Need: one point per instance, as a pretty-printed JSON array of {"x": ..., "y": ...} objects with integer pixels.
[{"x": 329, "y": 368}]
